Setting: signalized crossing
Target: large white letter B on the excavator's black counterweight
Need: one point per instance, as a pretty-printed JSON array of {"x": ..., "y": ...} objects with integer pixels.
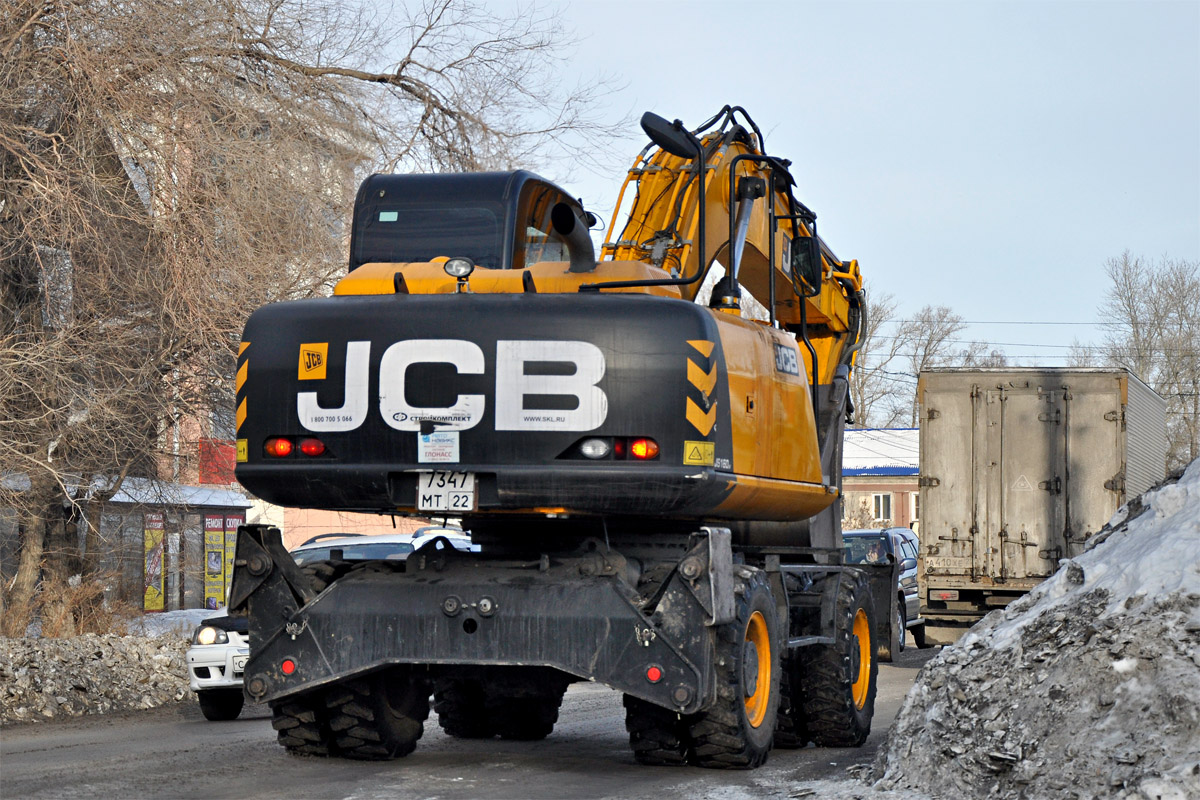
[{"x": 513, "y": 384}]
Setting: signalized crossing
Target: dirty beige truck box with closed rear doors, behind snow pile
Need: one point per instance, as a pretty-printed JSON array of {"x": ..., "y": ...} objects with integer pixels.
[{"x": 1019, "y": 468}]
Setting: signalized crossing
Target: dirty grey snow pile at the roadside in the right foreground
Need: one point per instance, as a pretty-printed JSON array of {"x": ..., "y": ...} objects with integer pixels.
[{"x": 1087, "y": 688}]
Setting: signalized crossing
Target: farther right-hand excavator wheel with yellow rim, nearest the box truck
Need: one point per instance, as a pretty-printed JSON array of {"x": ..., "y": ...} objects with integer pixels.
[{"x": 838, "y": 705}]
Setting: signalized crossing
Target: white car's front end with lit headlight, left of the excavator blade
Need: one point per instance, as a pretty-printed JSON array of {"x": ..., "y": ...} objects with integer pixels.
[{"x": 215, "y": 666}]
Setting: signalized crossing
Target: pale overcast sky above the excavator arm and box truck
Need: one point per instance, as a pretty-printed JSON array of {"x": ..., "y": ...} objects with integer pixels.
[{"x": 986, "y": 157}]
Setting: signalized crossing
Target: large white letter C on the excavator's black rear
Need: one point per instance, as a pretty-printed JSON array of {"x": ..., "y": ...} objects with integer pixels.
[{"x": 466, "y": 357}]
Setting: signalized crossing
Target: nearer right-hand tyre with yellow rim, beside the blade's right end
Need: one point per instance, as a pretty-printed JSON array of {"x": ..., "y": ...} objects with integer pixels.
[{"x": 740, "y": 730}]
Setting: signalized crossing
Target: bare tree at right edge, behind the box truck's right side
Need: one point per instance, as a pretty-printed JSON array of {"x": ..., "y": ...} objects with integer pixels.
[{"x": 1154, "y": 330}]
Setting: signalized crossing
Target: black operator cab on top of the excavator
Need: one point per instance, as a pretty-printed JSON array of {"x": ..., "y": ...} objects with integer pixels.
[{"x": 500, "y": 221}]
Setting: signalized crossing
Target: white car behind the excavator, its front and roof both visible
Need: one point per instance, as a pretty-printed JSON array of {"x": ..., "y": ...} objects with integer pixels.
[{"x": 221, "y": 646}]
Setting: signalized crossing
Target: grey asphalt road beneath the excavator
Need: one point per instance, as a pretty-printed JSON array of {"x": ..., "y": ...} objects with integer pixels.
[{"x": 175, "y": 753}]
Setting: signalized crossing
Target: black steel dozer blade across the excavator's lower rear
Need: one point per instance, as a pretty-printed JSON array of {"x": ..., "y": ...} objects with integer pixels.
[{"x": 577, "y": 615}]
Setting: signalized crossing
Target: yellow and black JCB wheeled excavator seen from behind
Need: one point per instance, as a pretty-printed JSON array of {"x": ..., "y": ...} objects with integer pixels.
[{"x": 647, "y": 461}]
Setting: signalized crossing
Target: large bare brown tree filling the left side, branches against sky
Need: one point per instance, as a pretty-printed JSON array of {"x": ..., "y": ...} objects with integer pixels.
[{"x": 166, "y": 167}]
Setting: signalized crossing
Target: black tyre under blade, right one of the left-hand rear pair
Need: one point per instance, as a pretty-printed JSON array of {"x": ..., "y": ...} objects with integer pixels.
[{"x": 380, "y": 717}]
